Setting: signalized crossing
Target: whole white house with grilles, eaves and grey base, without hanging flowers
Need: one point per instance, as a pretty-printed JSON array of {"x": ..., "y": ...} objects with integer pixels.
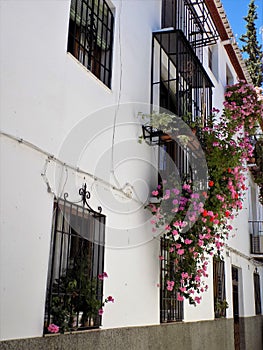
[{"x": 75, "y": 180}]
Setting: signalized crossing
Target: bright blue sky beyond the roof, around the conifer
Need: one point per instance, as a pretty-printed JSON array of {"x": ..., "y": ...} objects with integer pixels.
[{"x": 236, "y": 10}]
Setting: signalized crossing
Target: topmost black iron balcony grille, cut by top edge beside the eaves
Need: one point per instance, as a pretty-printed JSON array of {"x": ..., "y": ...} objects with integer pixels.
[{"x": 193, "y": 18}]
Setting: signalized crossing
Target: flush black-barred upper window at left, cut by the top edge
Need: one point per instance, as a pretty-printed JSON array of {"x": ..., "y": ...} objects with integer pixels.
[{"x": 90, "y": 37}]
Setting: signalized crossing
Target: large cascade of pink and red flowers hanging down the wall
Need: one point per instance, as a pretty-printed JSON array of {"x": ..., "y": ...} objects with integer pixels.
[{"x": 196, "y": 224}]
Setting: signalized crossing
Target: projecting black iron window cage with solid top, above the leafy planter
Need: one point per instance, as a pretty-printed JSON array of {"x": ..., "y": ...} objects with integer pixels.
[{"x": 179, "y": 81}]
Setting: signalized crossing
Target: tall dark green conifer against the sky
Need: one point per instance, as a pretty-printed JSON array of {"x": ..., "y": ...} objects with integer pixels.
[{"x": 251, "y": 46}]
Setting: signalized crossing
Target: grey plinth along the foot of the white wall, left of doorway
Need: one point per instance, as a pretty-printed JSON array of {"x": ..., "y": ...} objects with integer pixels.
[{"x": 203, "y": 335}]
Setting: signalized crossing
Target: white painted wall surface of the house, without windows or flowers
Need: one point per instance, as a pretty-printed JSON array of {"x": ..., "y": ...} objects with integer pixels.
[{"x": 55, "y": 105}]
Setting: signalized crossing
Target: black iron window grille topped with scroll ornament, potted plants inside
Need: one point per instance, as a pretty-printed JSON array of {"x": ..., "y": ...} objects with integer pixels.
[{"x": 74, "y": 291}]
